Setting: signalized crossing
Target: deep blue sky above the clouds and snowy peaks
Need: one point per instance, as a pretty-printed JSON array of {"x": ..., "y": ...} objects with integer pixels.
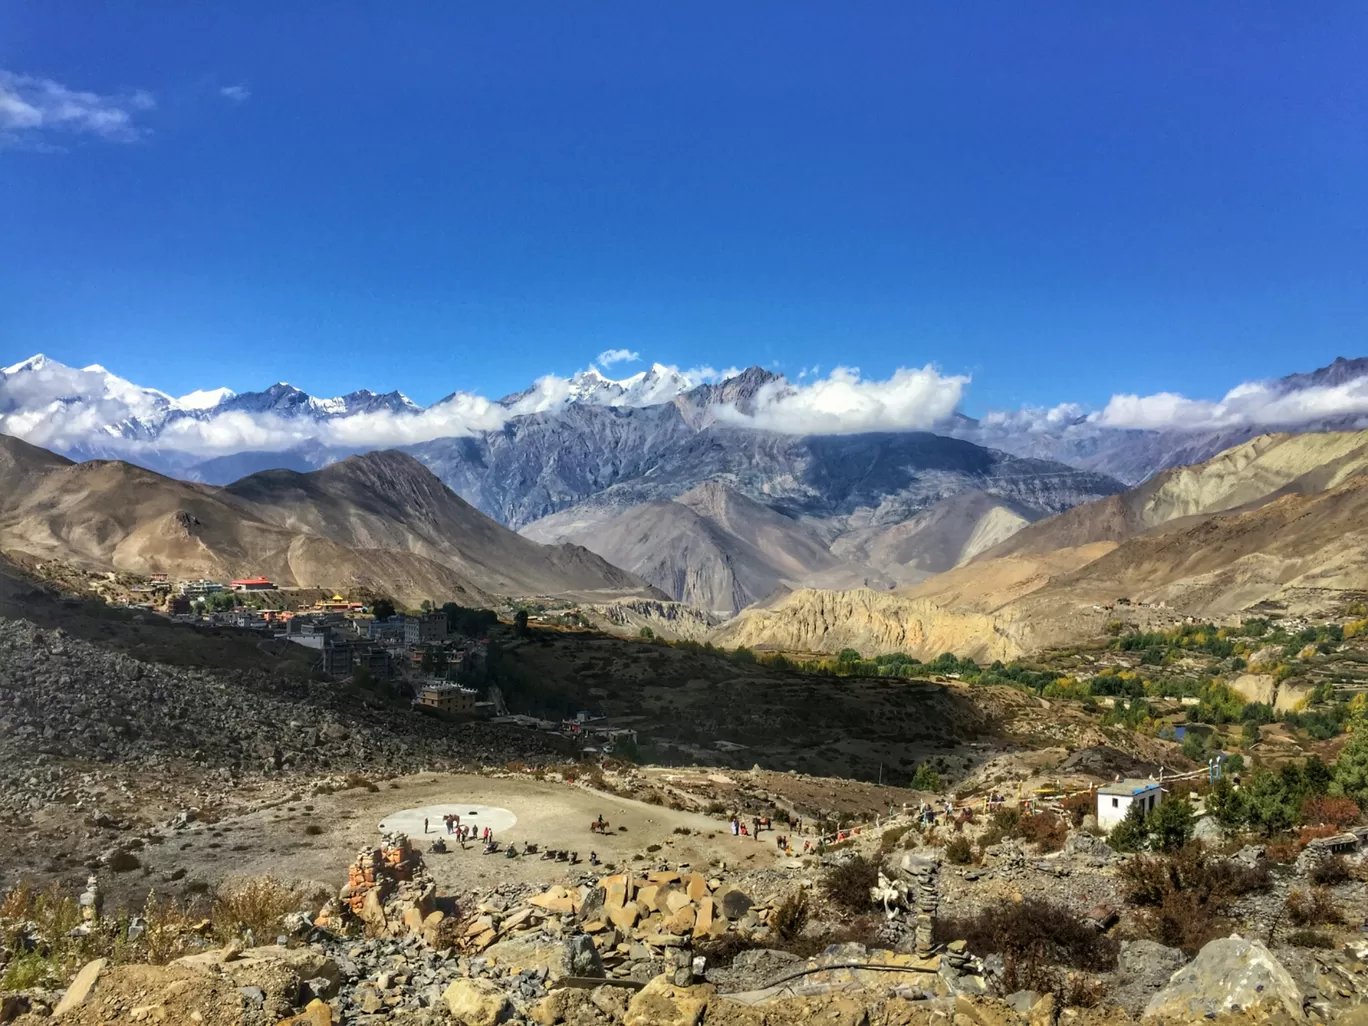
[{"x": 1064, "y": 200}]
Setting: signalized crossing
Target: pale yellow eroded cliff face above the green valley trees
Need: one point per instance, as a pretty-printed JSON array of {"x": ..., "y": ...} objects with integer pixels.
[{"x": 876, "y": 623}]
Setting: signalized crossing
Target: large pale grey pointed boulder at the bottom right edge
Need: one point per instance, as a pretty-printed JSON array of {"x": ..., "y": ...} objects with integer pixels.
[{"x": 1231, "y": 975}]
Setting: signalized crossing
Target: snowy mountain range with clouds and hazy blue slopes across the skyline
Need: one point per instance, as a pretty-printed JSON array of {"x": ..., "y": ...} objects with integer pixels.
[{"x": 92, "y": 412}]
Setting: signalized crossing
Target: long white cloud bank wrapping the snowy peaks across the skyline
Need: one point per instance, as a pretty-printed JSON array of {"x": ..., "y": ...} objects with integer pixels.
[{"x": 94, "y": 411}]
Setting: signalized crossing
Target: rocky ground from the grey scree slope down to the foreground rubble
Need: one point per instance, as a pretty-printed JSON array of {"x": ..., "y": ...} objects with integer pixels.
[{"x": 187, "y": 782}]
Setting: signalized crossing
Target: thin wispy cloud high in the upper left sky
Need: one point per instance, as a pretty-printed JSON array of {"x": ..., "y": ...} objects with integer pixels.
[{"x": 38, "y": 111}]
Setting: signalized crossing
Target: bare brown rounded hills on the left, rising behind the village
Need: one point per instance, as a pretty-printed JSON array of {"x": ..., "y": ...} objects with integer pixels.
[{"x": 381, "y": 522}]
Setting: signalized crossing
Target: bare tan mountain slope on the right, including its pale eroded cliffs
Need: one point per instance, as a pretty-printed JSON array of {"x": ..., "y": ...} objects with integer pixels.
[{"x": 1280, "y": 519}]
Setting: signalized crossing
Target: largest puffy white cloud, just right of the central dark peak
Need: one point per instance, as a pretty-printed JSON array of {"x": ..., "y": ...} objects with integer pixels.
[{"x": 845, "y": 404}]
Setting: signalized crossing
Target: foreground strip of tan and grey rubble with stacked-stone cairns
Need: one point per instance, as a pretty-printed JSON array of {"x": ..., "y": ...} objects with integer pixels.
[{"x": 650, "y": 947}]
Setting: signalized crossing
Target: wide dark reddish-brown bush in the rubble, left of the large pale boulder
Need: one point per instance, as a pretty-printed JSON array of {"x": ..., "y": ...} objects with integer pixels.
[{"x": 1038, "y": 939}]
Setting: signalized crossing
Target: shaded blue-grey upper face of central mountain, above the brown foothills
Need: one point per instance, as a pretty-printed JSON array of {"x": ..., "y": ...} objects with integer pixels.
[{"x": 623, "y": 458}]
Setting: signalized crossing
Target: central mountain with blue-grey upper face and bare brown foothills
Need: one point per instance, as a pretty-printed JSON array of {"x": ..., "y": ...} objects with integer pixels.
[{"x": 723, "y": 516}]
